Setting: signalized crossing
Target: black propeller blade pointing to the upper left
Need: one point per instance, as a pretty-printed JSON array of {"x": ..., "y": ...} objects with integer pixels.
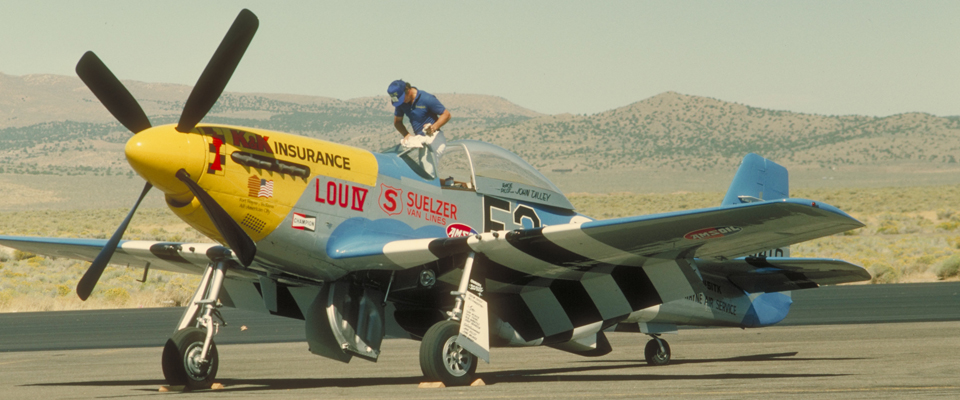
[{"x": 118, "y": 100}]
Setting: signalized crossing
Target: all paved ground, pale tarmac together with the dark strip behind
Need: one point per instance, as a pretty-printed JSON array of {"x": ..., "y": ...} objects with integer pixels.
[{"x": 893, "y": 341}]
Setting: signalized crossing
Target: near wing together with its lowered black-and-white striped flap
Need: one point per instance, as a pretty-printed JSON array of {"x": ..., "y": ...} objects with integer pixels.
[{"x": 550, "y": 281}]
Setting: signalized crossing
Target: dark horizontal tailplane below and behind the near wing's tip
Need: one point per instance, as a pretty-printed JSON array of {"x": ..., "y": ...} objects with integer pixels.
[{"x": 777, "y": 274}]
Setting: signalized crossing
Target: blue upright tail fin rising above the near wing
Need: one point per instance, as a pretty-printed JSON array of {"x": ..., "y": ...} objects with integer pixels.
[{"x": 757, "y": 179}]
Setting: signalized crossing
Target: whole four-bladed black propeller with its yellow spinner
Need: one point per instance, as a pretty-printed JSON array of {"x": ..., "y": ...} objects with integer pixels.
[{"x": 118, "y": 100}]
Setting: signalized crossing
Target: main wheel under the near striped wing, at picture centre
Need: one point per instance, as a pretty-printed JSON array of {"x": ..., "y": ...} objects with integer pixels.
[{"x": 443, "y": 360}]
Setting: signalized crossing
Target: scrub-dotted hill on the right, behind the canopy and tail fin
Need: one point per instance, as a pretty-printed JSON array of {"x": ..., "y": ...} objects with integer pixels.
[{"x": 673, "y": 130}]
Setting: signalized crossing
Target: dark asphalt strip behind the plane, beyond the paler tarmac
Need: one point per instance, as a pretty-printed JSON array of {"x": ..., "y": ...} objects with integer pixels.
[{"x": 921, "y": 302}]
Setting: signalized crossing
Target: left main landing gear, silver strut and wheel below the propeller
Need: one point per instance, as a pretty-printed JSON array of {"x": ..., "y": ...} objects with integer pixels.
[{"x": 190, "y": 357}]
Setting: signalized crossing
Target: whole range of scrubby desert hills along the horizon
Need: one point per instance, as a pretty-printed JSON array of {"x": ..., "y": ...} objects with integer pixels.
[{"x": 53, "y": 124}]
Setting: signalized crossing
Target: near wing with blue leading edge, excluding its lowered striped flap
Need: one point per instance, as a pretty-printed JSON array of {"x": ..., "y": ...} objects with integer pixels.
[{"x": 718, "y": 233}]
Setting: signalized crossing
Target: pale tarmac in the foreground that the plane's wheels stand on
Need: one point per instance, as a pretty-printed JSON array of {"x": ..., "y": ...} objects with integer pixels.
[{"x": 895, "y": 360}]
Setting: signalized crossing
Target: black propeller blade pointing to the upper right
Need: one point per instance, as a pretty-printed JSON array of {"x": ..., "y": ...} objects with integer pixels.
[{"x": 219, "y": 70}]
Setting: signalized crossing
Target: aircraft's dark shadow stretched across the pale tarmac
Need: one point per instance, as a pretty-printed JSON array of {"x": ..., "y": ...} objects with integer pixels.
[{"x": 509, "y": 376}]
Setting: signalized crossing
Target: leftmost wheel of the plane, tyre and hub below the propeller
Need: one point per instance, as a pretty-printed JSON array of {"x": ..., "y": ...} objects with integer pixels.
[{"x": 181, "y": 360}]
